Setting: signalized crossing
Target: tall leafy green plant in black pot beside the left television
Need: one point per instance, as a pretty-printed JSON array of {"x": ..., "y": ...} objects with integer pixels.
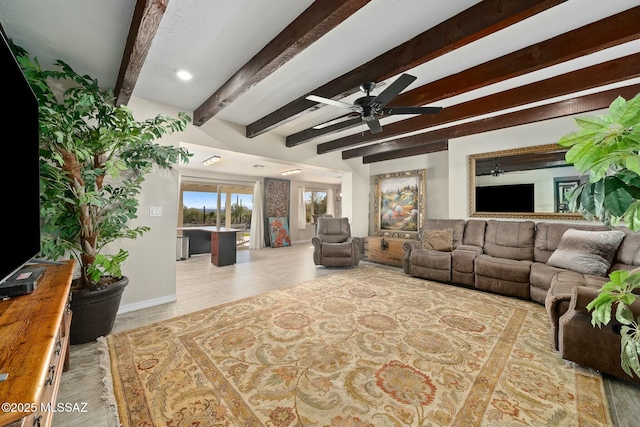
[{"x": 93, "y": 160}]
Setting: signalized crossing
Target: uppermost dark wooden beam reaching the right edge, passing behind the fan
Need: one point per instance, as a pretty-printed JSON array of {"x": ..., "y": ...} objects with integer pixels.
[{"x": 612, "y": 31}]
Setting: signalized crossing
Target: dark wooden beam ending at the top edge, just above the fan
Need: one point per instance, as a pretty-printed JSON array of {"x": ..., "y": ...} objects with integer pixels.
[{"x": 480, "y": 20}]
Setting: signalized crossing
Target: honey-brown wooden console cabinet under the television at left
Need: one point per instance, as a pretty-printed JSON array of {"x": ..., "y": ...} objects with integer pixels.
[{"x": 34, "y": 349}]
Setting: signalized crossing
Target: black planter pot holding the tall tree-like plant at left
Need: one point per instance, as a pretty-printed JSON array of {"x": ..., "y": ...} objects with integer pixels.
[{"x": 94, "y": 312}]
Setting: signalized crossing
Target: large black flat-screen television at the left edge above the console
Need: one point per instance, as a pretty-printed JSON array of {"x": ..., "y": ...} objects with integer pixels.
[{"x": 21, "y": 183}]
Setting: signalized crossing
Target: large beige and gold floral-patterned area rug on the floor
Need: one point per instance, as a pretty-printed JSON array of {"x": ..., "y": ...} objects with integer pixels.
[{"x": 363, "y": 347}]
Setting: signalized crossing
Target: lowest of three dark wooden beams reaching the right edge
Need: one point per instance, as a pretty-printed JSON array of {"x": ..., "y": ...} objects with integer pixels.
[{"x": 405, "y": 147}]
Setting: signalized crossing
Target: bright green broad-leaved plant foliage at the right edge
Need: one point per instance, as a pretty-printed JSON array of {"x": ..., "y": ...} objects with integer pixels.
[{"x": 608, "y": 146}]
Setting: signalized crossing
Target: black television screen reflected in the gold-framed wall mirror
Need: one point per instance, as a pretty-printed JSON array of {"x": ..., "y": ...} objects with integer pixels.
[{"x": 505, "y": 198}]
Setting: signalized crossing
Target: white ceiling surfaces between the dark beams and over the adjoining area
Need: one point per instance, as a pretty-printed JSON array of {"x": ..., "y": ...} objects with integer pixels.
[{"x": 214, "y": 38}]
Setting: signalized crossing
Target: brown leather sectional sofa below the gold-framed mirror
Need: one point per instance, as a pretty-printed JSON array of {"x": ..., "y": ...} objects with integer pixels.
[{"x": 512, "y": 258}]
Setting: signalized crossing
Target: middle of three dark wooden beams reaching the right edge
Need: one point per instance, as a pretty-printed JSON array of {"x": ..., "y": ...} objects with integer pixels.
[{"x": 609, "y": 72}]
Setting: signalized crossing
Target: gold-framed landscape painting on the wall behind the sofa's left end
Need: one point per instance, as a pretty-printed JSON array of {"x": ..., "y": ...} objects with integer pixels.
[{"x": 399, "y": 205}]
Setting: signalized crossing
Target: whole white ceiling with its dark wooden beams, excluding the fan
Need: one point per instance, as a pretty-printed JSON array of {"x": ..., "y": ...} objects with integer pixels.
[{"x": 490, "y": 64}]
